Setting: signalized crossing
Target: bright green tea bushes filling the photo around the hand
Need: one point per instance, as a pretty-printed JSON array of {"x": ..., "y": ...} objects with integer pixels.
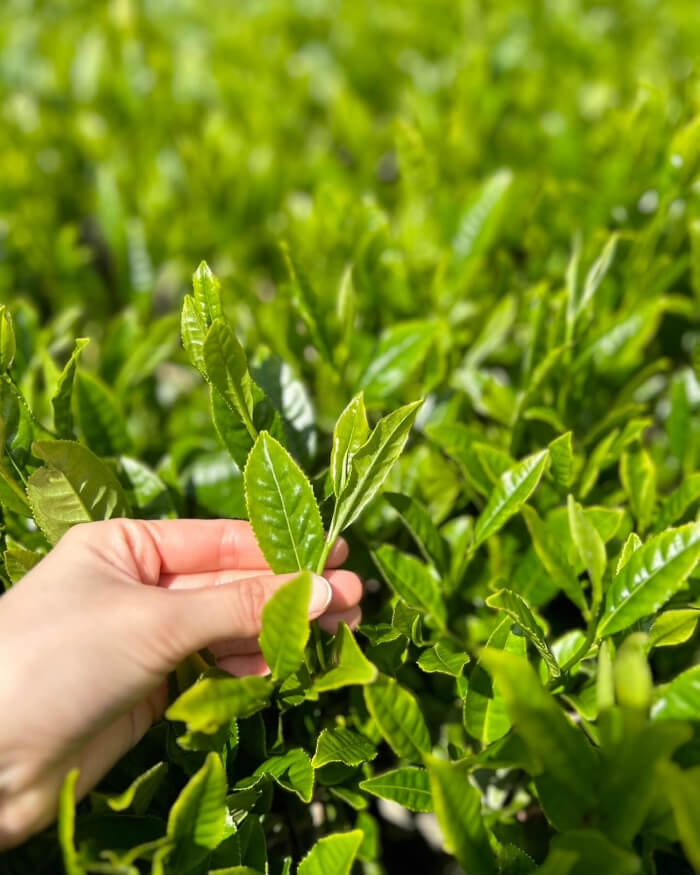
[{"x": 456, "y": 316}]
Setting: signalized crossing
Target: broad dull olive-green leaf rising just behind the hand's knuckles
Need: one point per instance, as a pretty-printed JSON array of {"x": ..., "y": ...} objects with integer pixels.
[{"x": 74, "y": 487}]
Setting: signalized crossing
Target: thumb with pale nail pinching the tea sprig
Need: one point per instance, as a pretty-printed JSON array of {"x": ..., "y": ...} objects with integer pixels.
[{"x": 200, "y": 617}]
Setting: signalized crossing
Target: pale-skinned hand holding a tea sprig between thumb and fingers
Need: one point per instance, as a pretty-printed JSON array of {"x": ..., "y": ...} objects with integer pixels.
[{"x": 88, "y": 638}]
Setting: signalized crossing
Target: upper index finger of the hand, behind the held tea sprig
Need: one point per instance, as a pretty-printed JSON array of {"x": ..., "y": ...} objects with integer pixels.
[{"x": 189, "y": 546}]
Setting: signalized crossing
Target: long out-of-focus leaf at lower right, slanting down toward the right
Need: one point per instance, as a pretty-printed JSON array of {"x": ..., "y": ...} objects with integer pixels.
[{"x": 566, "y": 787}]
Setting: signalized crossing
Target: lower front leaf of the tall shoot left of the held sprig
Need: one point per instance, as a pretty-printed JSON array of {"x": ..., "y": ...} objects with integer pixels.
[{"x": 227, "y": 370}]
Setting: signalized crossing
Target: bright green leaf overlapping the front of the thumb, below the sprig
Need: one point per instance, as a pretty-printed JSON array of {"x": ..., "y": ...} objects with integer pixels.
[{"x": 285, "y": 627}]
